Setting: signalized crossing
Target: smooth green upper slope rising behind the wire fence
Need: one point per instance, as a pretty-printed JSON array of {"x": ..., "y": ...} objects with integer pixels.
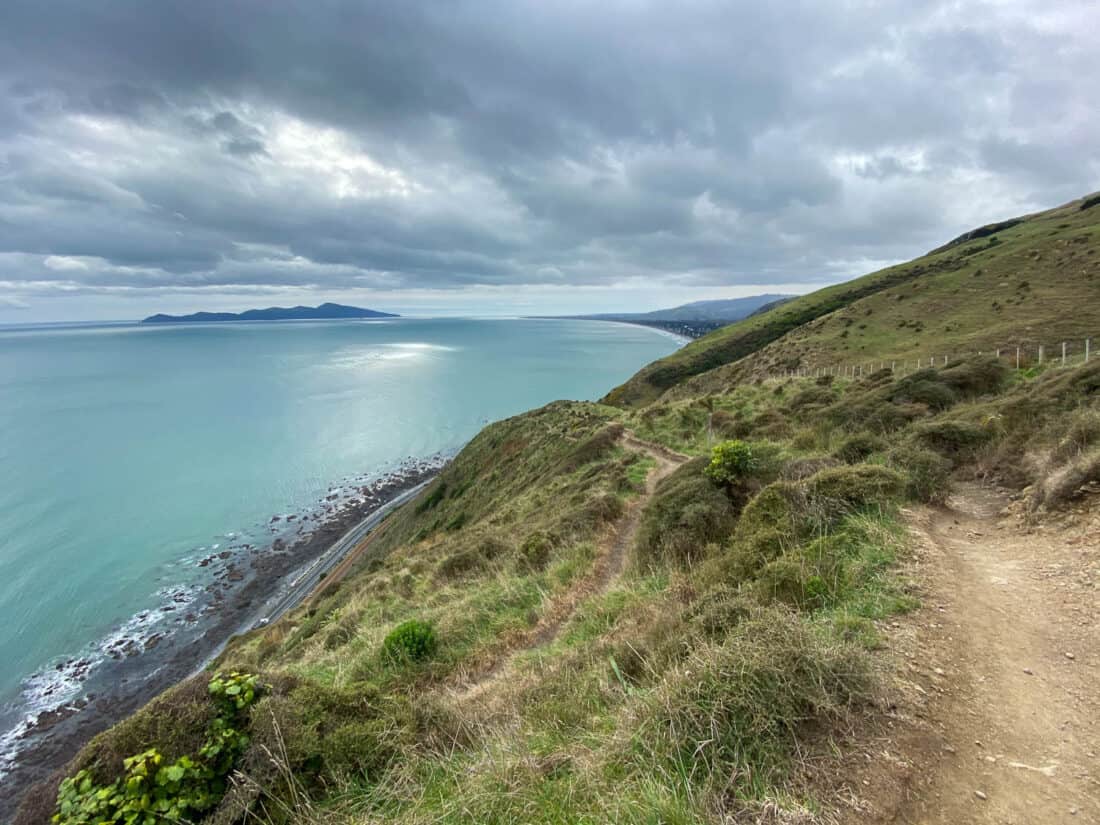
[{"x": 1032, "y": 281}]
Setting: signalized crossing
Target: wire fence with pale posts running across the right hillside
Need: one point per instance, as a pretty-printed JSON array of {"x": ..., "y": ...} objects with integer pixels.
[{"x": 1024, "y": 357}]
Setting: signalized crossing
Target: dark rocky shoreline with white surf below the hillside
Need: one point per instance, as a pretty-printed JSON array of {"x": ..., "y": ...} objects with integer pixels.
[{"x": 161, "y": 647}]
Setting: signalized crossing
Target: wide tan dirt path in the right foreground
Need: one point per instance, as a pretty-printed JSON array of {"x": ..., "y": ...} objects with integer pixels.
[{"x": 1000, "y": 721}]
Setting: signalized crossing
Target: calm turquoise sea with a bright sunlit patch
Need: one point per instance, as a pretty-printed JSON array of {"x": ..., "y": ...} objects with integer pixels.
[{"x": 140, "y": 465}]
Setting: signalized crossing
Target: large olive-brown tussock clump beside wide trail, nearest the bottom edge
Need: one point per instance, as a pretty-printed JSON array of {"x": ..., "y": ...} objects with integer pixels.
[{"x": 730, "y": 718}]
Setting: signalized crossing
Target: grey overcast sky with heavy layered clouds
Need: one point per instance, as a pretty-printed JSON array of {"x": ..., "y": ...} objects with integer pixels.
[{"x": 518, "y": 157}]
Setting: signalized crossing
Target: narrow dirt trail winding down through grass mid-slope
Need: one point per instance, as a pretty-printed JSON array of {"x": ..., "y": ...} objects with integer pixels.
[{"x": 614, "y": 553}]
